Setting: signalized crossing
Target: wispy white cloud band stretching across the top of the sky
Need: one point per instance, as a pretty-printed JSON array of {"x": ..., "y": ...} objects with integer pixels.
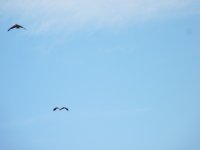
[{"x": 74, "y": 14}]
